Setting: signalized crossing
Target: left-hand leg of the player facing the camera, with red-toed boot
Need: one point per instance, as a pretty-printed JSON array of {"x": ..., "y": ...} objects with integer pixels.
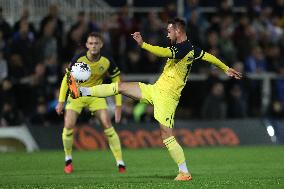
[{"x": 67, "y": 138}]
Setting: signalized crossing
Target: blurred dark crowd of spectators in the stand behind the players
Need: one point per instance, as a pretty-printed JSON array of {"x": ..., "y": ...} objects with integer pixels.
[{"x": 33, "y": 59}]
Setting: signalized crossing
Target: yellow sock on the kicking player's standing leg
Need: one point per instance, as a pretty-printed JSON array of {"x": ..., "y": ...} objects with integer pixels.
[{"x": 175, "y": 150}]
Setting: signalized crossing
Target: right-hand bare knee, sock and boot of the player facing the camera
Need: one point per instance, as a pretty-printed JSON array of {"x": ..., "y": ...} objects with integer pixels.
[{"x": 113, "y": 139}]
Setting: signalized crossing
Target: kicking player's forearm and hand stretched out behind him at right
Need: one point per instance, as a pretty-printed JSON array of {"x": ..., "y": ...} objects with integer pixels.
[{"x": 215, "y": 61}]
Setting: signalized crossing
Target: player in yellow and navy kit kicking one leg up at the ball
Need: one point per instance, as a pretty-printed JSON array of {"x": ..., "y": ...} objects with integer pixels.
[{"x": 164, "y": 95}]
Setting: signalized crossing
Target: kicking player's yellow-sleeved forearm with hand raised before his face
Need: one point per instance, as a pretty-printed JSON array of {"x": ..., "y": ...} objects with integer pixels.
[{"x": 156, "y": 50}]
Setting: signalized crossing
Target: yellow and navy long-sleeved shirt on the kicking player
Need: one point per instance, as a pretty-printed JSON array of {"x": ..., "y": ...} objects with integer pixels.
[{"x": 178, "y": 65}]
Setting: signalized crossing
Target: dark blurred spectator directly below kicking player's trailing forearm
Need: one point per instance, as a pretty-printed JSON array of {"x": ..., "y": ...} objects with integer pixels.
[{"x": 214, "y": 106}]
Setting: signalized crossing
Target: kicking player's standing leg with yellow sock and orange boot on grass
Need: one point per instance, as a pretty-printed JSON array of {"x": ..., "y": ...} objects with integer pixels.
[{"x": 176, "y": 152}]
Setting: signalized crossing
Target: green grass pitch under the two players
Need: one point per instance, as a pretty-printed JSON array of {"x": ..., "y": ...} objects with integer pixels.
[{"x": 235, "y": 167}]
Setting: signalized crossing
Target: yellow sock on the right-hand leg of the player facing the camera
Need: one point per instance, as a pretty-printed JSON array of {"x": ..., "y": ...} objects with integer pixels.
[{"x": 114, "y": 143}]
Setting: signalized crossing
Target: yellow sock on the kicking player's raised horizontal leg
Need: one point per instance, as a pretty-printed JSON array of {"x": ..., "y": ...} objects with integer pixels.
[{"x": 104, "y": 90}]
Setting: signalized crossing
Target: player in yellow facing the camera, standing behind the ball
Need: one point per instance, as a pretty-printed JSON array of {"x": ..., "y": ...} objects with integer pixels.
[{"x": 100, "y": 67}]
